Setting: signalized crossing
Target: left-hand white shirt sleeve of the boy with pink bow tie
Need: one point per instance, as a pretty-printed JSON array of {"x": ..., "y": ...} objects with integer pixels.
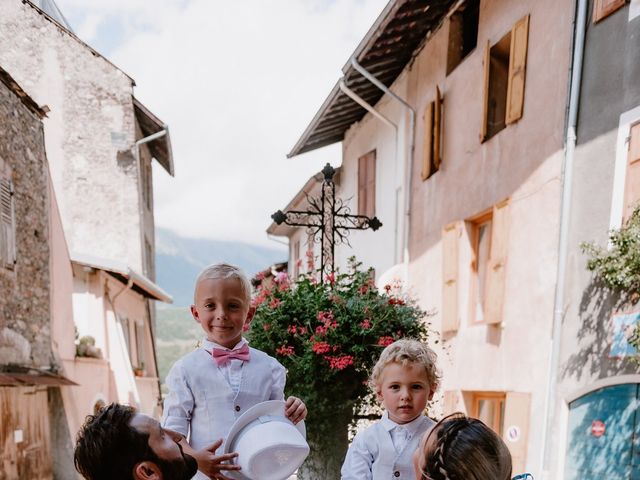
[{"x": 178, "y": 404}]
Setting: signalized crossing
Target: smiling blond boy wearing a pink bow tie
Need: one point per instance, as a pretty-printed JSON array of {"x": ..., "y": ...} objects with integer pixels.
[{"x": 212, "y": 386}]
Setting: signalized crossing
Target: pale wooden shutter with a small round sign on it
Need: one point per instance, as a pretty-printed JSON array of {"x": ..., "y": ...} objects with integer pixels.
[{"x": 516, "y": 427}]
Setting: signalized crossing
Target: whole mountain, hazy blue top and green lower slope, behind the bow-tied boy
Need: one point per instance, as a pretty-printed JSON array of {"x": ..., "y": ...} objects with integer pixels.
[{"x": 179, "y": 260}]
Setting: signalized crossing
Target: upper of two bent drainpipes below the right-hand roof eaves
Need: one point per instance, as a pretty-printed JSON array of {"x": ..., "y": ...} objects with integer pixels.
[{"x": 408, "y": 163}]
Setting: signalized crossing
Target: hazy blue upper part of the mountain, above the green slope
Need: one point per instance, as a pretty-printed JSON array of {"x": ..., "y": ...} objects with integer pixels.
[{"x": 179, "y": 260}]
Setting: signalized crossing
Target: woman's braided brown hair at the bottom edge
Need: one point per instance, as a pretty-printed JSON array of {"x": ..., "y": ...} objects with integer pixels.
[{"x": 463, "y": 448}]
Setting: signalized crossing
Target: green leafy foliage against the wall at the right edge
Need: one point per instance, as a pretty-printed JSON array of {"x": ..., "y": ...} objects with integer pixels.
[{"x": 619, "y": 266}]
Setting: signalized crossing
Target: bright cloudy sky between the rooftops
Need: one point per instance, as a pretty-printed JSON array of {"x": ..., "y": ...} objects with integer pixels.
[{"x": 237, "y": 82}]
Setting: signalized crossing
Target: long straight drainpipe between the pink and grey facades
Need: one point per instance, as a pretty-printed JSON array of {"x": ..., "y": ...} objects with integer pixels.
[{"x": 563, "y": 242}]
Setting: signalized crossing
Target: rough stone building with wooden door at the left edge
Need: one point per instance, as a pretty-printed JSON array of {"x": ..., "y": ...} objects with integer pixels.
[{"x": 30, "y": 383}]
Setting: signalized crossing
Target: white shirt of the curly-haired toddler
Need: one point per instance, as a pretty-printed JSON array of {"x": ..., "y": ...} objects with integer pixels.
[{"x": 368, "y": 453}]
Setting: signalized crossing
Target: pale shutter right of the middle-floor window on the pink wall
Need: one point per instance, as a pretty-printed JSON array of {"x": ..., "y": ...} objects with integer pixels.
[{"x": 497, "y": 263}]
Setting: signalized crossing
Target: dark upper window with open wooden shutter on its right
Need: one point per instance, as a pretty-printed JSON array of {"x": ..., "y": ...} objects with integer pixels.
[{"x": 504, "y": 77}]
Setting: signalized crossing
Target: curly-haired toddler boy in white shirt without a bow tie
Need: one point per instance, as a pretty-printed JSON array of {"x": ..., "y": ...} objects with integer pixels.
[{"x": 404, "y": 379}]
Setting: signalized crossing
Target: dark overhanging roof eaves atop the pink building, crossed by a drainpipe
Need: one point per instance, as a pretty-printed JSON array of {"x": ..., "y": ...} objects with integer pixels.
[{"x": 385, "y": 51}]
